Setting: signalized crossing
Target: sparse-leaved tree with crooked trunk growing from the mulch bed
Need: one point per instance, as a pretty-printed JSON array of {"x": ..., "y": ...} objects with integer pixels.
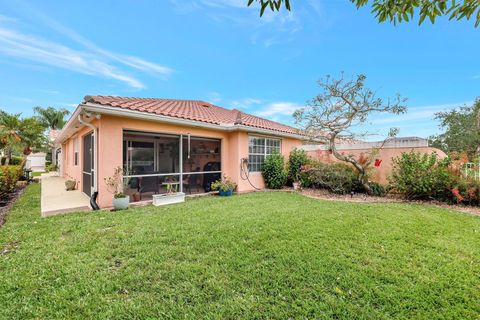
[{"x": 342, "y": 106}]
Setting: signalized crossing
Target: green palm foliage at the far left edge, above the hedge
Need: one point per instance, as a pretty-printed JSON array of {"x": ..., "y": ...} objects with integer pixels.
[{"x": 17, "y": 132}]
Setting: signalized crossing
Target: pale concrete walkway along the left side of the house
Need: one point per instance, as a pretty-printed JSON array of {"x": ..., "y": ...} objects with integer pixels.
[{"x": 56, "y": 200}]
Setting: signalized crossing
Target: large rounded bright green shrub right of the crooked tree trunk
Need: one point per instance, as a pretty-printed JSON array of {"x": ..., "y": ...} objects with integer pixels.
[{"x": 422, "y": 176}]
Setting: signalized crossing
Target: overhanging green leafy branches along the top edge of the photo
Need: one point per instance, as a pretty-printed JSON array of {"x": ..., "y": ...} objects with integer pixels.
[{"x": 397, "y": 11}]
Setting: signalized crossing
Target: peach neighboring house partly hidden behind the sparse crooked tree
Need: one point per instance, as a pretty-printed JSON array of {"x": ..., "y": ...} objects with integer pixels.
[{"x": 383, "y": 163}]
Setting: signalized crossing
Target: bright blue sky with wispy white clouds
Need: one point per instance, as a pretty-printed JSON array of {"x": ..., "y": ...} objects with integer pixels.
[{"x": 53, "y": 53}]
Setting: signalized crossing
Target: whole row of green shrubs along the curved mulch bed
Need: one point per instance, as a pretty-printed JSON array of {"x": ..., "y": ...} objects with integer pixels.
[{"x": 416, "y": 176}]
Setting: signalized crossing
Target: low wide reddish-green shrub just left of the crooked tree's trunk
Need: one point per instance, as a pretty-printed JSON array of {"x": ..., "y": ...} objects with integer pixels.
[{"x": 337, "y": 178}]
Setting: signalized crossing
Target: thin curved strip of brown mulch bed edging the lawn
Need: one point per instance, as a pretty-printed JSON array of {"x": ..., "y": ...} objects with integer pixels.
[{"x": 326, "y": 195}]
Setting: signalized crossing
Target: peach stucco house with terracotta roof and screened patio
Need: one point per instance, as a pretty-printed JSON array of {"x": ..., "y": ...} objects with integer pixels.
[{"x": 188, "y": 143}]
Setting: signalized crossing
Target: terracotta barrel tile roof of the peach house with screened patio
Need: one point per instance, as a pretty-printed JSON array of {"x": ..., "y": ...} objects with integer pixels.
[{"x": 190, "y": 110}]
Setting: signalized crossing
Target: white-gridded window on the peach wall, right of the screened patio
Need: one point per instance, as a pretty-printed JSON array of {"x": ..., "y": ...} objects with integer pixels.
[{"x": 258, "y": 149}]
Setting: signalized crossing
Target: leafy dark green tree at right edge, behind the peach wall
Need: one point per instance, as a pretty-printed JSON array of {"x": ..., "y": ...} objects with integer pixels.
[{"x": 461, "y": 130}]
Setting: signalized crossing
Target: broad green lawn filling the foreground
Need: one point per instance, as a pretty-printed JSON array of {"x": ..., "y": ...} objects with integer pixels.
[{"x": 260, "y": 255}]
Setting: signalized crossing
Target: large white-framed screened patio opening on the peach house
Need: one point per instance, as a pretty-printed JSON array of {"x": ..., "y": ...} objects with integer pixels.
[{"x": 153, "y": 163}]
